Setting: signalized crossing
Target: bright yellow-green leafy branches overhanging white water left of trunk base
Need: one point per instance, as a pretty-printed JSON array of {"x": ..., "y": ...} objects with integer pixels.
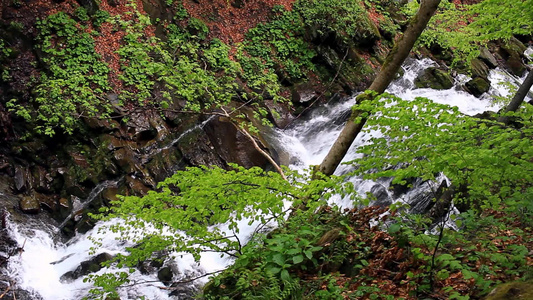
[{"x": 201, "y": 209}]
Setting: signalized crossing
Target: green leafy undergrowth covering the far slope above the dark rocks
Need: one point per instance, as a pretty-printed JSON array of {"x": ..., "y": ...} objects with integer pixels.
[{"x": 183, "y": 69}]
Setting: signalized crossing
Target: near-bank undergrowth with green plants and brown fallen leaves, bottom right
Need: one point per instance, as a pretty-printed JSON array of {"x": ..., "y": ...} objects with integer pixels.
[{"x": 348, "y": 258}]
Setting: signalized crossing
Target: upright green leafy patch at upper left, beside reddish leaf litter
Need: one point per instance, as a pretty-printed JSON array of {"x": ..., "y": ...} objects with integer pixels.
[{"x": 73, "y": 82}]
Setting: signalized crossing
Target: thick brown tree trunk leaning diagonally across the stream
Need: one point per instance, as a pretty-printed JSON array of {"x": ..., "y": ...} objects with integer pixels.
[{"x": 390, "y": 67}]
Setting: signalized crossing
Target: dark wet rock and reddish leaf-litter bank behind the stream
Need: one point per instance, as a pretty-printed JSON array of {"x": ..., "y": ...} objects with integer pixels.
[{"x": 60, "y": 179}]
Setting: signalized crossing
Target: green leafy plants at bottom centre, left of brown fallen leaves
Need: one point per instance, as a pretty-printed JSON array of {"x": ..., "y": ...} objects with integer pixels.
[{"x": 266, "y": 267}]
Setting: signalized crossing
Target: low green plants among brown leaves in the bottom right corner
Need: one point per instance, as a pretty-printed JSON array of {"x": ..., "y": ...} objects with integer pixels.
[{"x": 485, "y": 251}]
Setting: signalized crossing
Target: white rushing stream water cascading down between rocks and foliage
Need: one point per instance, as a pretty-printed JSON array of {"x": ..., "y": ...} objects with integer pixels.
[{"x": 44, "y": 260}]
